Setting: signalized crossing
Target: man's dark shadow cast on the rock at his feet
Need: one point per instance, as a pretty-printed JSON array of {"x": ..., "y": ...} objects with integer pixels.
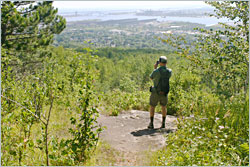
[{"x": 151, "y": 132}]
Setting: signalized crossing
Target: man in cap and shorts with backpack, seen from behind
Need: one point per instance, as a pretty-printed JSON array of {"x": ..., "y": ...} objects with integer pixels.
[{"x": 159, "y": 92}]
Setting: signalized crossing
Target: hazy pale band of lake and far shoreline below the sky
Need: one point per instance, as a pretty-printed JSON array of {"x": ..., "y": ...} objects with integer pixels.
[{"x": 198, "y": 16}]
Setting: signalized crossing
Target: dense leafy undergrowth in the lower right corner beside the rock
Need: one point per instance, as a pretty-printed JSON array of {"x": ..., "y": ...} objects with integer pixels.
[{"x": 210, "y": 138}]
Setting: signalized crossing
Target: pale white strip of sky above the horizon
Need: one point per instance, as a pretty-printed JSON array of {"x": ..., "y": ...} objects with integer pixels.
[{"x": 128, "y": 4}]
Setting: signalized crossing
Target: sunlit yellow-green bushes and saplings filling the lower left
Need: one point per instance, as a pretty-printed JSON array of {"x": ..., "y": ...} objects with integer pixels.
[{"x": 30, "y": 103}]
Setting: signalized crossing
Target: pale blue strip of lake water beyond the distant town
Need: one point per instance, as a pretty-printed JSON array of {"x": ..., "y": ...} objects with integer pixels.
[{"x": 104, "y": 16}]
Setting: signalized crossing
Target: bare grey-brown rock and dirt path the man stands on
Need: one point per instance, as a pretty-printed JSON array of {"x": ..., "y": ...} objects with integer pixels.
[{"x": 128, "y": 134}]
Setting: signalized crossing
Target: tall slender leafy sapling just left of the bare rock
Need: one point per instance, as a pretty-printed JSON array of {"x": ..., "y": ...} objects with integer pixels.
[{"x": 85, "y": 132}]
